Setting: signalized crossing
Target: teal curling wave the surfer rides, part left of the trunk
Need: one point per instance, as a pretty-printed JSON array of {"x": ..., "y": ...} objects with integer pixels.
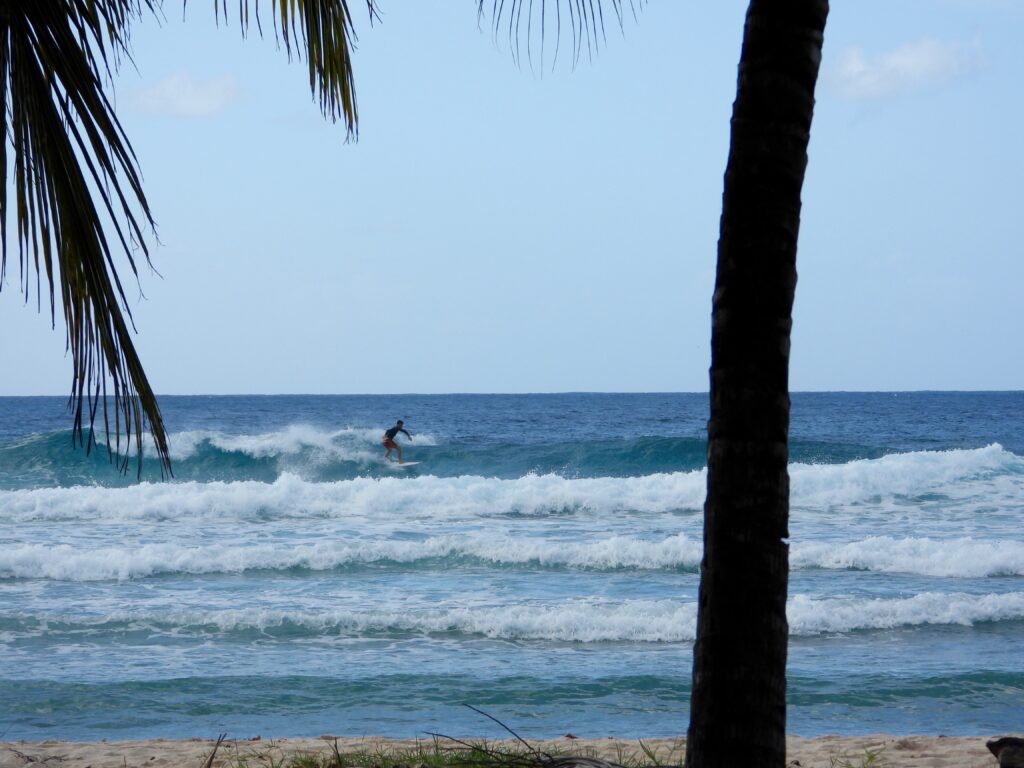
[{"x": 320, "y": 456}]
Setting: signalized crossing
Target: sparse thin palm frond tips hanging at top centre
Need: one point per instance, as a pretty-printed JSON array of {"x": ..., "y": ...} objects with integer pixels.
[{"x": 527, "y": 23}]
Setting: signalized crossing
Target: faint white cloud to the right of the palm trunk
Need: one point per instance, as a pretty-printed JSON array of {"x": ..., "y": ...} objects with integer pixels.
[{"x": 912, "y": 67}]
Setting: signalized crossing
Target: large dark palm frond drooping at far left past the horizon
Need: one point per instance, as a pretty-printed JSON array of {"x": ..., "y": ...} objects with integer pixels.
[{"x": 75, "y": 178}]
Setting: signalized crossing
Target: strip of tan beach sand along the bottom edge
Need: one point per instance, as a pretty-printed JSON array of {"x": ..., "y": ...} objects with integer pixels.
[{"x": 825, "y": 752}]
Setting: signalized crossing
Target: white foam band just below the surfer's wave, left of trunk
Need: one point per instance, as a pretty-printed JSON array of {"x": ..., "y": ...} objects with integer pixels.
[{"x": 291, "y": 497}]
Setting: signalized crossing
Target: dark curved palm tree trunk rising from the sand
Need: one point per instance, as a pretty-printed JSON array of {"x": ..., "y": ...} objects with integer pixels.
[{"x": 739, "y": 701}]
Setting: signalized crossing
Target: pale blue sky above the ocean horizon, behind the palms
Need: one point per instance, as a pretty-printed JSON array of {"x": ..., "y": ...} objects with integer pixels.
[{"x": 513, "y": 228}]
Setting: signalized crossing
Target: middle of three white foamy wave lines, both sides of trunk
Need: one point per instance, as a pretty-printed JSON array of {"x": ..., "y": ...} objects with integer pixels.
[{"x": 958, "y": 559}]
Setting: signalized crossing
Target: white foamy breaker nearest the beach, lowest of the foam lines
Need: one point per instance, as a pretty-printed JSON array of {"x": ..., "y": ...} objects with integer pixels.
[{"x": 579, "y": 621}]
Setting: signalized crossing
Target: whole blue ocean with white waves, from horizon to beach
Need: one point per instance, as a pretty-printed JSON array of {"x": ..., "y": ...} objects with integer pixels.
[{"x": 540, "y": 563}]
